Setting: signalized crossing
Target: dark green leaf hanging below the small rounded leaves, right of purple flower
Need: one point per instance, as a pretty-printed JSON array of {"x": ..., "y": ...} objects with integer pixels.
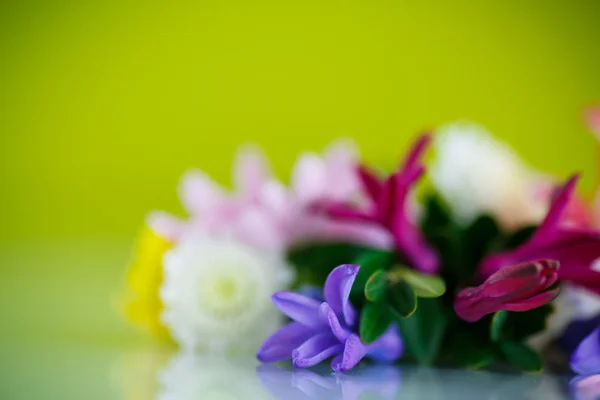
[{"x": 423, "y": 332}]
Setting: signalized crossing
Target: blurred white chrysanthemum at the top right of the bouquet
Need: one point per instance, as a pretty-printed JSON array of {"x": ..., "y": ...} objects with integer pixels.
[{"x": 476, "y": 174}]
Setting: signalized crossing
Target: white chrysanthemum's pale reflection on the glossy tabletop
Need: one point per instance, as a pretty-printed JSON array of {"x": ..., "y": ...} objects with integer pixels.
[{"x": 189, "y": 376}]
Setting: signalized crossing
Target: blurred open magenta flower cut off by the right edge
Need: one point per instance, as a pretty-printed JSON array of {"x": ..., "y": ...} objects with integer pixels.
[{"x": 577, "y": 249}]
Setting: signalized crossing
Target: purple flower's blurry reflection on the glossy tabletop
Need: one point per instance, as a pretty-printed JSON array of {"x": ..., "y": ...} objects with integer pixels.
[{"x": 383, "y": 381}]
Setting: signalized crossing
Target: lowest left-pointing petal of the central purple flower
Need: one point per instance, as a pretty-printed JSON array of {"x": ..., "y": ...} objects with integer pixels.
[{"x": 280, "y": 345}]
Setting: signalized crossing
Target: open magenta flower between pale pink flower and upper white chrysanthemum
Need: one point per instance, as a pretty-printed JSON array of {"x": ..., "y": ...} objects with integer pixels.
[{"x": 390, "y": 208}]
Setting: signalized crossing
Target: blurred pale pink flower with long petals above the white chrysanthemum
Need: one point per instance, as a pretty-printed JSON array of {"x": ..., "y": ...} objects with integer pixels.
[{"x": 262, "y": 212}]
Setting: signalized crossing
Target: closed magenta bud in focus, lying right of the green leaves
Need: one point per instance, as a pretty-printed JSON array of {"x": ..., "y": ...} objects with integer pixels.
[{"x": 519, "y": 287}]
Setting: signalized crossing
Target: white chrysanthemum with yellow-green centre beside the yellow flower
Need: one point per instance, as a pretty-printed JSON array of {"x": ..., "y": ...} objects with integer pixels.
[{"x": 216, "y": 294}]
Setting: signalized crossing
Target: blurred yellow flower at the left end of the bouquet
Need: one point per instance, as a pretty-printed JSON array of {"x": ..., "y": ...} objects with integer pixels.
[{"x": 143, "y": 305}]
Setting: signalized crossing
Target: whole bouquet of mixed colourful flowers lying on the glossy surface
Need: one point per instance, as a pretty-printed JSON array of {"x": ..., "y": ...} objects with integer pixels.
[{"x": 347, "y": 262}]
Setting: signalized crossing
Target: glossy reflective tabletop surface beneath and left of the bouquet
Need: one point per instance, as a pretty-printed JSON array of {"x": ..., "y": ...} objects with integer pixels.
[{"x": 61, "y": 337}]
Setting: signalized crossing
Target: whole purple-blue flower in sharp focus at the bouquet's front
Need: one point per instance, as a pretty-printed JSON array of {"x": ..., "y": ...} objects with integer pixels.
[{"x": 323, "y": 330}]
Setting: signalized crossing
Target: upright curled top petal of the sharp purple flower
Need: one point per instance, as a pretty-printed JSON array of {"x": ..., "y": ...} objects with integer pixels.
[{"x": 337, "y": 292}]
